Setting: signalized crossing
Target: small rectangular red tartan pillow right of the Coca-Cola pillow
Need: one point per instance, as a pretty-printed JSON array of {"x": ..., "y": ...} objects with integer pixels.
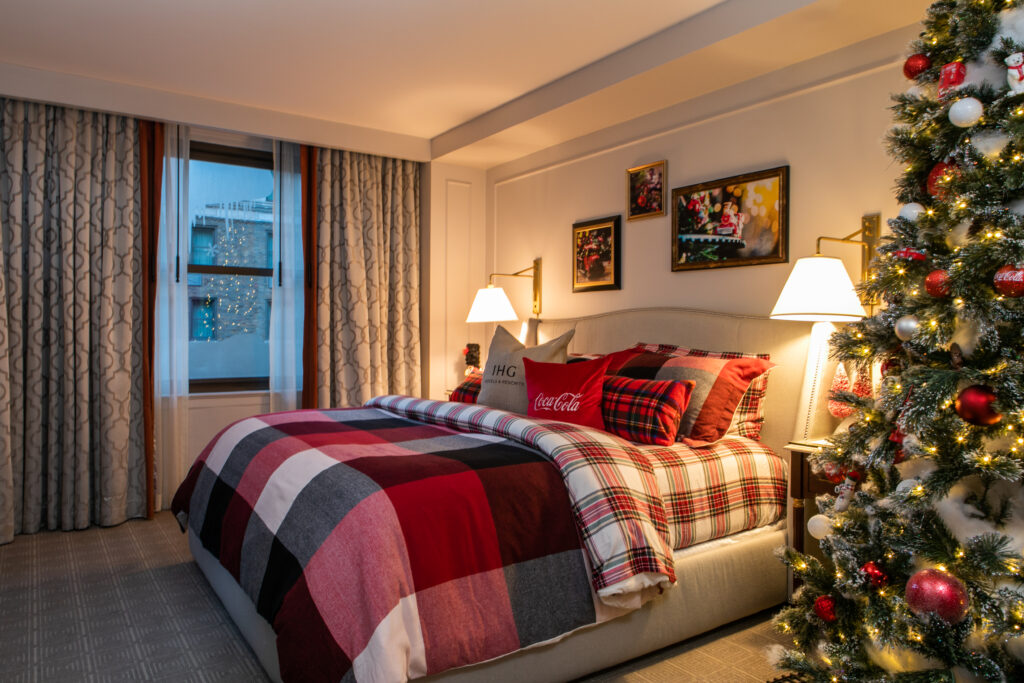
[{"x": 646, "y": 412}]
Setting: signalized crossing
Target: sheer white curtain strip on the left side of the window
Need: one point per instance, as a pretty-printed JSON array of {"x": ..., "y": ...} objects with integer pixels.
[{"x": 172, "y": 349}]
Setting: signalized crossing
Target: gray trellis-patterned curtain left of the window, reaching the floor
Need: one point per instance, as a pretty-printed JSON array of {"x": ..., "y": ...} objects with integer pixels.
[{"x": 71, "y": 324}]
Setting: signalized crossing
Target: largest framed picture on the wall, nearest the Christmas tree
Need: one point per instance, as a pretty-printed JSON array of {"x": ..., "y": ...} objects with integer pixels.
[{"x": 741, "y": 221}]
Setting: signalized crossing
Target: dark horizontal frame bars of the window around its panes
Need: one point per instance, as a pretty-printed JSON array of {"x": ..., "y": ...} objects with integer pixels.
[{"x": 221, "y": 154}]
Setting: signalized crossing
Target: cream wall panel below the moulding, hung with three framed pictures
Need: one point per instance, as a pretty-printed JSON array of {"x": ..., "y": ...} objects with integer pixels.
[{"x": 831, "y": 136}]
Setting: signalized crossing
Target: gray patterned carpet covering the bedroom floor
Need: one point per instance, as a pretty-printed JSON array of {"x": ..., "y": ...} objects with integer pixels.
[{"x": 127, "y": 604}]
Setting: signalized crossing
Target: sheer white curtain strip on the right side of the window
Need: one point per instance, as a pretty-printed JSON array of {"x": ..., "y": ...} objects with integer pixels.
[{"x": 286, "y": 301}]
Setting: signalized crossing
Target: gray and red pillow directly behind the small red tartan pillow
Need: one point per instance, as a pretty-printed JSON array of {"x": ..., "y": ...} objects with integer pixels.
[{"x": 719, "y": 388}]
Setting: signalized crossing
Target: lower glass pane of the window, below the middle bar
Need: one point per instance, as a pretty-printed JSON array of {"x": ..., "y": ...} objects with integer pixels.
[{"x": 230, "y": 333}]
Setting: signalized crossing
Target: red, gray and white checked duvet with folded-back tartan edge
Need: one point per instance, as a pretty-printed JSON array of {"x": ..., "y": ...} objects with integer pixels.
[{"x": 382, "y": 547}]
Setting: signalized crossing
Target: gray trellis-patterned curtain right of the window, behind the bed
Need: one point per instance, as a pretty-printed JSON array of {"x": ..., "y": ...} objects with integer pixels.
[{"x": 368, "y": 278}]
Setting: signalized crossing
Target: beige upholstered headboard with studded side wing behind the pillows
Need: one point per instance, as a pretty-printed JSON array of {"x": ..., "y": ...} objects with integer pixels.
[{"x": 791, "y": 409}]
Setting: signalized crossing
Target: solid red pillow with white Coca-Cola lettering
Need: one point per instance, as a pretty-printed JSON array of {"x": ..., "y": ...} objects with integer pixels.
[{"x": 568, "y": 393}]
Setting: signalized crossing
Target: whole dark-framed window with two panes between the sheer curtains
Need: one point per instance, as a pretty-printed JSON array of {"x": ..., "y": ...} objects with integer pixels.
[{"x": 230, "y": 271}]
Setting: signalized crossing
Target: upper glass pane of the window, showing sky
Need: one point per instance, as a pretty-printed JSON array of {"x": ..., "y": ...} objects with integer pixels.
[{"x": 232, "y": 210}]
